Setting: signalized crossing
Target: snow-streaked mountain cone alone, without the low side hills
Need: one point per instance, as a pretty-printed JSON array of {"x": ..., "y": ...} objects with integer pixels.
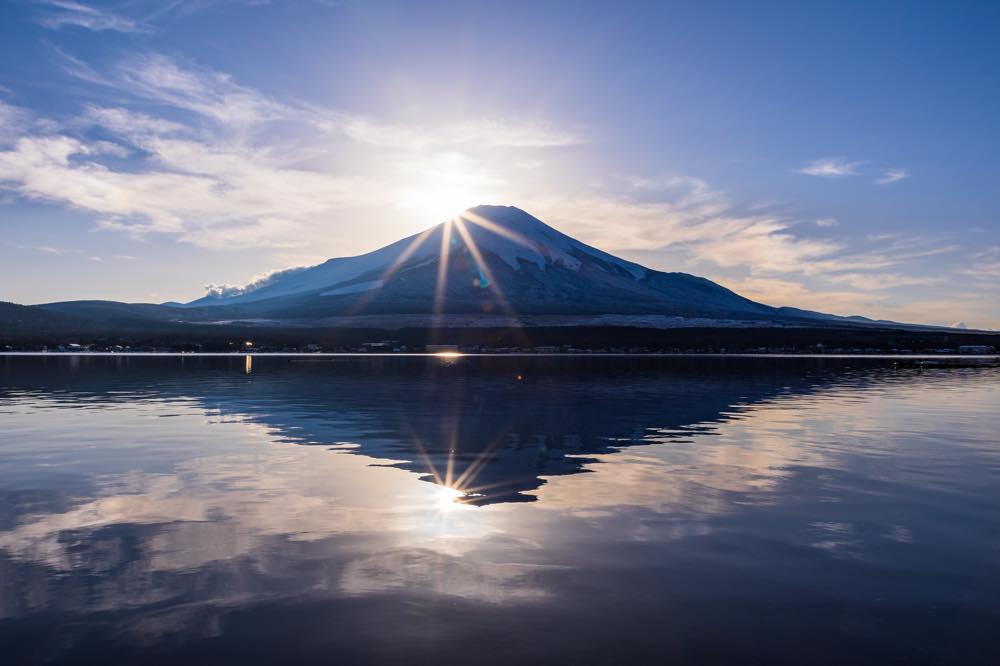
[{"x": 490, "y": 260}]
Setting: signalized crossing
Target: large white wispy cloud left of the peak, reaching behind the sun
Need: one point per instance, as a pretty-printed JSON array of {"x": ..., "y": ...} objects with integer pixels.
[{"x": 220, "y": 164}]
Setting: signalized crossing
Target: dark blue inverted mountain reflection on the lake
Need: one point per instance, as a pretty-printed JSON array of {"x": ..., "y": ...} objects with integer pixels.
[{"x": 491, "y": 427}]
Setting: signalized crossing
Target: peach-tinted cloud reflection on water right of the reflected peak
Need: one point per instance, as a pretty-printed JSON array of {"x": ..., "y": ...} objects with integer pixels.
[{"x": 700, "y": 471}]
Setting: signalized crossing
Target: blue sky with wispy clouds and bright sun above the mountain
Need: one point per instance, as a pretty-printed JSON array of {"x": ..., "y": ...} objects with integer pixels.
[{"x": 840, "y": 156}]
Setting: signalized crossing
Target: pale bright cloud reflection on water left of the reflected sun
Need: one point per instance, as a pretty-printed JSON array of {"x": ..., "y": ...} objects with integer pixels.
[{"x": 221, "y": 507}]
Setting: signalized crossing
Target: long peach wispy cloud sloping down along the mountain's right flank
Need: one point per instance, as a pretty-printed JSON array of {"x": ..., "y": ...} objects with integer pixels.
[{"x": 766, "y": 254}]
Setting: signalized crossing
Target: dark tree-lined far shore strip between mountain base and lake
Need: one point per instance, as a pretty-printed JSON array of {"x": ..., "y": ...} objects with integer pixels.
[{"x": 236, "y": 338}]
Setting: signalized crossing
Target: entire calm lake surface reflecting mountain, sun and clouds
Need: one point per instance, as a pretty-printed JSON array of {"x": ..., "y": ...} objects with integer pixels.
[{"x": 498, "y": 511}]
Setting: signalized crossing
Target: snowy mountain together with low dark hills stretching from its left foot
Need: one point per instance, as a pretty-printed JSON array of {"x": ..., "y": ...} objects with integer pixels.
[{"x": 489, "y": 267}]
